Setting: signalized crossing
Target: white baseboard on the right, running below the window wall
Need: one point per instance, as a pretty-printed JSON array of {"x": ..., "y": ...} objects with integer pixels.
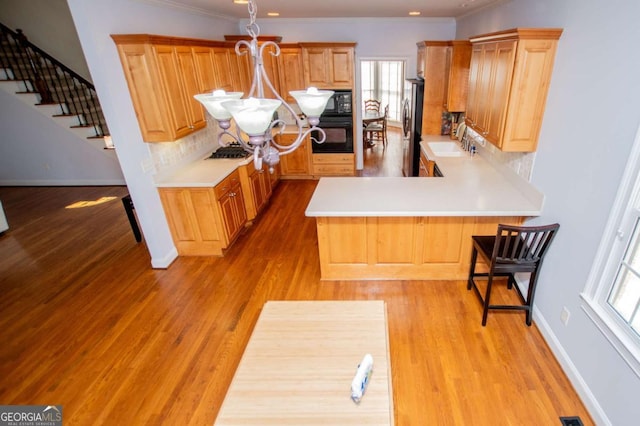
[{"x": 570, "y": 369}]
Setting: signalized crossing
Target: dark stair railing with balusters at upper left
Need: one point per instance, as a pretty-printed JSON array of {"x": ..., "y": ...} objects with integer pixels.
[{"x": 52, "y": 80}]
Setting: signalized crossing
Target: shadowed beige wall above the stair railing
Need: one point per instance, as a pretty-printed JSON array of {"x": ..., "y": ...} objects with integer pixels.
[{"x": 48, "y": 25}]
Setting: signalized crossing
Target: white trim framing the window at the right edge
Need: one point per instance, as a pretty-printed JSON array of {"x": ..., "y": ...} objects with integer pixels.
[{"x": 603, "y": 272}]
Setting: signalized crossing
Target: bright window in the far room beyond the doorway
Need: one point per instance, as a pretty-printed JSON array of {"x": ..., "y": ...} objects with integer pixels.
[{"x": 384, "y": 81}]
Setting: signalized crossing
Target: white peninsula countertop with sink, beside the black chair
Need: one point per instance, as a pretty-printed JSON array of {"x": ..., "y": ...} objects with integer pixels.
[{"x": 471, "y": 186}]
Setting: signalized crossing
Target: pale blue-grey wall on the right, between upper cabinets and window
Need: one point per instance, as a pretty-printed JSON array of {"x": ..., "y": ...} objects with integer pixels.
[{"x": 592, "y": 114}]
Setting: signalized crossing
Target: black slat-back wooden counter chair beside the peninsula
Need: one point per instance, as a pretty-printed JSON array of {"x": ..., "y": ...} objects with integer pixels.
[{"x": 513, "y": 249}]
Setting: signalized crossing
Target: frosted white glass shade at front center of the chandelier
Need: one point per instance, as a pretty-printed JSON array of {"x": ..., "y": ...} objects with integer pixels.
[{"x": 252, "y": 115}]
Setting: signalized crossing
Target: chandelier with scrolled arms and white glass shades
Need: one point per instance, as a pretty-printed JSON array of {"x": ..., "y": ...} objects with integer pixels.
[{"x": 255, "y": 115}]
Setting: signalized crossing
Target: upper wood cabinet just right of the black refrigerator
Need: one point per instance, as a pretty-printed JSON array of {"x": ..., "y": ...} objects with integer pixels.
[{"x": 458, "y": 59}]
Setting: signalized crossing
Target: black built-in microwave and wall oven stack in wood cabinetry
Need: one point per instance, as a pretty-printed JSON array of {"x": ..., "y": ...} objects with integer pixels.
[{"x": 337, "y": 123}]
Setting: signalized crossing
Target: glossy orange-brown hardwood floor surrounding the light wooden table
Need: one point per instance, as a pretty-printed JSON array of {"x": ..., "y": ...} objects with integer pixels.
[{"x": 85, "y": 322}]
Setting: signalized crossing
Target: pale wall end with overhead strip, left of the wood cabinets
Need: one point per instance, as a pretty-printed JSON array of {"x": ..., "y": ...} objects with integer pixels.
[{"x": 95, "y": 21}]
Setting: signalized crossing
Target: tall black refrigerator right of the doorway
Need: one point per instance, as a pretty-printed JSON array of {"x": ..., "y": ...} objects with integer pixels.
[{"x": 411, "y": 146}]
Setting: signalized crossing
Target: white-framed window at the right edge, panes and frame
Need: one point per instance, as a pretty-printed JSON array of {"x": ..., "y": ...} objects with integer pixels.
[{"x": 612, "y": 294}]
